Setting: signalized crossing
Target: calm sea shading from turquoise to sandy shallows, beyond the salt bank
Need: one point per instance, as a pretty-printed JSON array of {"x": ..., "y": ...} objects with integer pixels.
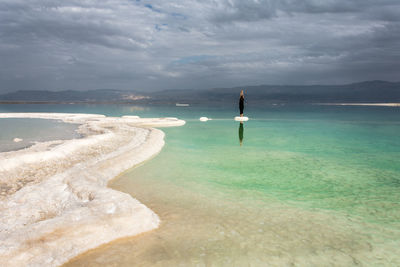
[{"x": 303, "y": 185}]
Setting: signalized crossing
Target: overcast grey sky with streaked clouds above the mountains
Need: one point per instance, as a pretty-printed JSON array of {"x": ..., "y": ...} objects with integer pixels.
[{"x": 176, "y": 44}]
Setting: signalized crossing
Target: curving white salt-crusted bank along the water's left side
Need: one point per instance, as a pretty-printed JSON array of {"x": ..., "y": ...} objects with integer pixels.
[{"x": 62, "y": 206}]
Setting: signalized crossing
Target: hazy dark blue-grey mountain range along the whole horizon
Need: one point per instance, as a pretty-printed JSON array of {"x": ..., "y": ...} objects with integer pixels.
[{"x": 368, "y": 92}]
